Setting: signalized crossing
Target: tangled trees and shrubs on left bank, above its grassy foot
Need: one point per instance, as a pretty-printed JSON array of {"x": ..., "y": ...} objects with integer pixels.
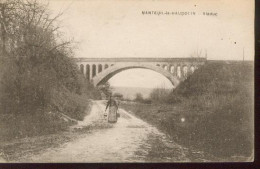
[{"x": 38, "y": 55}]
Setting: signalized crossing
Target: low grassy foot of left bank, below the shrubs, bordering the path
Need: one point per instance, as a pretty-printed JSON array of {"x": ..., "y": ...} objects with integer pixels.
[{"x": 37, "y": 124}]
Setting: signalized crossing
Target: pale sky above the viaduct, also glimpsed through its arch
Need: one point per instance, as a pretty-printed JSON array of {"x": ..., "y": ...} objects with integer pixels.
[{"x": 114, "y": 28}]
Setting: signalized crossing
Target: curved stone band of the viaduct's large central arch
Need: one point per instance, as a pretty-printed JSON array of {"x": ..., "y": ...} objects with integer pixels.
[{"x": 113, "y": 70}]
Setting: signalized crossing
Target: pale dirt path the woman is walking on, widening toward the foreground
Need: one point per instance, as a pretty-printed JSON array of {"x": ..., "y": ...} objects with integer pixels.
[{"x": 128, "y": 140}]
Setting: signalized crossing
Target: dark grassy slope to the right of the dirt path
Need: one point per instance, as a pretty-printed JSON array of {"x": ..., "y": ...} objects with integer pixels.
[{"x": 217, "y": 105}]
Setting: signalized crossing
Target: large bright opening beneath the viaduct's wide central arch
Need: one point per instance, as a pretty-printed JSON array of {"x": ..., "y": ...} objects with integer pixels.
[{"x": 138, "y": 80}]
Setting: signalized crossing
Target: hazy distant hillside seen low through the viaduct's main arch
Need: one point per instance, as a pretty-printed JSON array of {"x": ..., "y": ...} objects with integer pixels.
[{"x": 130, "y": 92}]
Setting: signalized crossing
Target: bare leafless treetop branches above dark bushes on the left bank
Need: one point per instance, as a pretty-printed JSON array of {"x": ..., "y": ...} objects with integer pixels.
[{"x": 27, "y": 26}]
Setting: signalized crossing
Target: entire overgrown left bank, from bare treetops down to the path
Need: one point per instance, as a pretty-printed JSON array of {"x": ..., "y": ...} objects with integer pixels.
[{"x": 38, "y": 79}]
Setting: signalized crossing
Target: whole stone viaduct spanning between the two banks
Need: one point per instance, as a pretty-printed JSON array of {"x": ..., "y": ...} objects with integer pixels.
[{"x": 100, "y": 70}]
